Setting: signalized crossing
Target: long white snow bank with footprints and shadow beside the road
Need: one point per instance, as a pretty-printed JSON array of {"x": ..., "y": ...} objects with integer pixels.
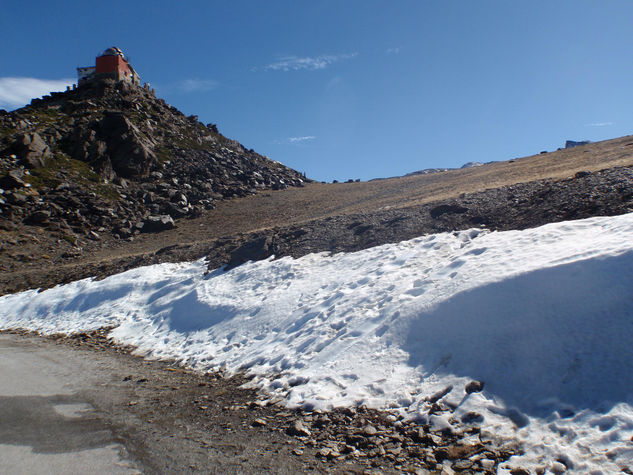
[{"x": 544, "y": 317}]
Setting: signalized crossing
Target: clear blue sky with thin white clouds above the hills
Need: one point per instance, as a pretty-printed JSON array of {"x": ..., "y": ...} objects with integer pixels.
[{"x": 350, "y": 88}]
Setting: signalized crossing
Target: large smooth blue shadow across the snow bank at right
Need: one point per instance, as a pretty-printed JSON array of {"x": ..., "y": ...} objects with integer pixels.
[{"x": 540, "y": 341}]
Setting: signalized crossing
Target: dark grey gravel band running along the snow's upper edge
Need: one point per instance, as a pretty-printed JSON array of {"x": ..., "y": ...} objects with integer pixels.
[{"x": 520, "y": 206}]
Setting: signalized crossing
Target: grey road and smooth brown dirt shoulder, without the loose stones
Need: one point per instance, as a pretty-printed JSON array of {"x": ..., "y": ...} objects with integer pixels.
[{"x": 76, "y": 410}]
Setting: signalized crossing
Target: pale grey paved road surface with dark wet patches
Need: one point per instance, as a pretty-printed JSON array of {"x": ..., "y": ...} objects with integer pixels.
[{"x": 44, "y": 387}]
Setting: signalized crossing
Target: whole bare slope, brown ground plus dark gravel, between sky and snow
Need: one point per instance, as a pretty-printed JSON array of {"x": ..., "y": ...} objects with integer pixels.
[{"x": 299, "y": 221}]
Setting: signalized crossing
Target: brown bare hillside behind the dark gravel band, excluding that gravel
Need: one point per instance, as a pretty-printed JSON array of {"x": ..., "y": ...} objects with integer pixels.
[{"x": 30, "y": 258}]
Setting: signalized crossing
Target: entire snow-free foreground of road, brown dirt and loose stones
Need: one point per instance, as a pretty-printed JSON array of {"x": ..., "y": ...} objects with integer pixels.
[{"x": 79, "y": 404}]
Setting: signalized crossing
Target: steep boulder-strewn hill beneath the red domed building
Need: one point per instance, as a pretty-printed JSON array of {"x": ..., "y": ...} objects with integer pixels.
[{"x": 109, "y": 157}]
